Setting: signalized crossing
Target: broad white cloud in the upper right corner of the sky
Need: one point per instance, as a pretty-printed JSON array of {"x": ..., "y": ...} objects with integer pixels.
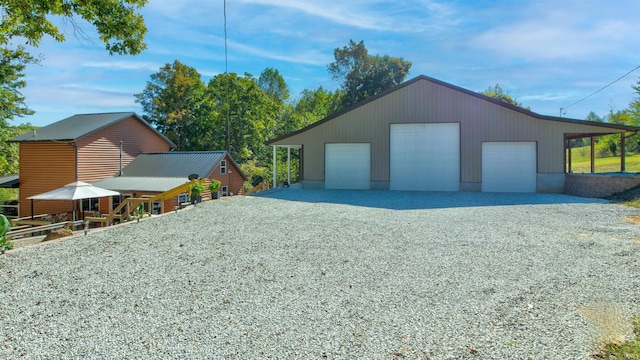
[{"x": 553, "y": 31}]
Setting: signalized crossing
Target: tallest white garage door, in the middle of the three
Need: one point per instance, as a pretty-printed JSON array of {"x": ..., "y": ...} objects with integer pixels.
[{"x": 425, "y": 157}]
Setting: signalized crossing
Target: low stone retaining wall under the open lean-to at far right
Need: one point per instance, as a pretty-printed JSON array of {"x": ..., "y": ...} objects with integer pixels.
[{"x": 598, "y": 185}]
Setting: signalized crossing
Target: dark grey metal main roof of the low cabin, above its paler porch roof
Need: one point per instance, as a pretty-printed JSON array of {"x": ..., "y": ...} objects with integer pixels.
[{"x": 176, "y": 164}]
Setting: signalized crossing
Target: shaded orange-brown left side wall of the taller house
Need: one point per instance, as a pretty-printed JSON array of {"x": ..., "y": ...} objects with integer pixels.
[{"x": 45, "y": 166}]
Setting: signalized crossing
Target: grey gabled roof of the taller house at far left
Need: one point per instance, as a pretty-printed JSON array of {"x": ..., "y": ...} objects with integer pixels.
[{"x": 78, "y": 126}]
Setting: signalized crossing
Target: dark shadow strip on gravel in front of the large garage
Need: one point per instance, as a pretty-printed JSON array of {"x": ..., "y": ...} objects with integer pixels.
[{"x": 408, "y": 200}]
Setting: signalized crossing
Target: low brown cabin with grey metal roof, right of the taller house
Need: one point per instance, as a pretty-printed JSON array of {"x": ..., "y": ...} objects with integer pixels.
[{"x": 152, "y": 173}]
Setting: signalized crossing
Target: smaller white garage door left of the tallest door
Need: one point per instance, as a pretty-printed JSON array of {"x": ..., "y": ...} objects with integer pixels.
[{"x": 347, "y": 166}]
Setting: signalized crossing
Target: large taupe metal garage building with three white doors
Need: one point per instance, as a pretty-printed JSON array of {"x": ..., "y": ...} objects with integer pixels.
[{"x": 428, "y": 135}]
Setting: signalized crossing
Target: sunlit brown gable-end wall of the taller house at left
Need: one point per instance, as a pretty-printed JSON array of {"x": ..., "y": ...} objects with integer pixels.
[{"x": 99, "y": 153}]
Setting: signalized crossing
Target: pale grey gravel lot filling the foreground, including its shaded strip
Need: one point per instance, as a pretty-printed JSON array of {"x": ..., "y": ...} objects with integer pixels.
[{"x": 332, "y": 274}]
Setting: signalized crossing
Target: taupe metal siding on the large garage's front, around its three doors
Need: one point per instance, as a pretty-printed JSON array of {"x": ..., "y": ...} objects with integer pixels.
[{"x": 425, "y": 101}]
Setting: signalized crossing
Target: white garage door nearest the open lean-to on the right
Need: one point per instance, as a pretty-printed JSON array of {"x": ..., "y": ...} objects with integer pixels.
[{"x": 509, "y": 167}]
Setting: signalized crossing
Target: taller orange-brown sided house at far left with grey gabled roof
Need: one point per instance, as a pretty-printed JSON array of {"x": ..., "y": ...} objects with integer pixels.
[{"x": 87, "y": 147}]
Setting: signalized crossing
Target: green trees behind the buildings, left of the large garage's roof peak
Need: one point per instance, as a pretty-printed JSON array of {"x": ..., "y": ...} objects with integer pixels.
[{"x": 238, "y": 113}]
